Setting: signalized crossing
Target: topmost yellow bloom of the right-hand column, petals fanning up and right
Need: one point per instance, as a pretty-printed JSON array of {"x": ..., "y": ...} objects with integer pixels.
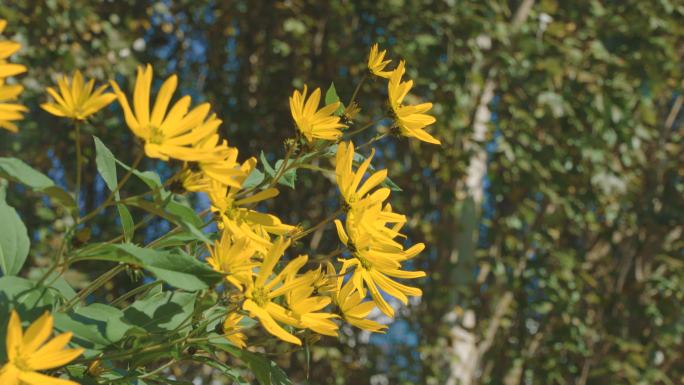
[{"x": 348, "y": 181}]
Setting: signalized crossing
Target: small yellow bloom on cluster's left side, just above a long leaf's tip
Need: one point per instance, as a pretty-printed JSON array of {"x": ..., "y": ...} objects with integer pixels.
[{"x": 233, "y": 258}]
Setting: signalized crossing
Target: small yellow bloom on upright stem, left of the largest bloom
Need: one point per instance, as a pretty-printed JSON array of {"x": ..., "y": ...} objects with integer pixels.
[{"x": 76, "y": 99}]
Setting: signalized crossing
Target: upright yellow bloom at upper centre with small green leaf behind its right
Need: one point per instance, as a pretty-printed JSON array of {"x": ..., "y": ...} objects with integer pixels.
[{"x": 313, "y": 124}]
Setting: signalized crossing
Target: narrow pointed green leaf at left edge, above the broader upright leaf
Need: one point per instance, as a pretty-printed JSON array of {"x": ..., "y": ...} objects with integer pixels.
[{"x": 16, "y": 170}]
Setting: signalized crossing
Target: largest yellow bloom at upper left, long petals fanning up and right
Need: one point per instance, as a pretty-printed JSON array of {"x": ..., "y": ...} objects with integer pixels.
[{"x": 169, "y": 135}]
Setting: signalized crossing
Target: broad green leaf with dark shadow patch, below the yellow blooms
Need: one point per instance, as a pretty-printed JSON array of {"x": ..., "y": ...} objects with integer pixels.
[{"x": 161, "y": 312}]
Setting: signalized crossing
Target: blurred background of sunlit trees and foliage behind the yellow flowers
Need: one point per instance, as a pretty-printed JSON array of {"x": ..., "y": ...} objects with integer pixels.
[{"x": 567, "y": 269}]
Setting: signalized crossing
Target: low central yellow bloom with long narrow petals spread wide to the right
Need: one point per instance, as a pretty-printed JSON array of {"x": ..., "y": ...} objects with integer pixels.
[{"x": 261, "y": 292}]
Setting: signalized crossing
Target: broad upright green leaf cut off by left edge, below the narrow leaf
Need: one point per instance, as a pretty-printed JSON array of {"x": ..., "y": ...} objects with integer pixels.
[{"x": 14, "y": 240}]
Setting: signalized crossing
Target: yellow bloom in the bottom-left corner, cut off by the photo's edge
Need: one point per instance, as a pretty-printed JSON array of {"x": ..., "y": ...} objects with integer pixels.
[{"x": 28, "y": 353}]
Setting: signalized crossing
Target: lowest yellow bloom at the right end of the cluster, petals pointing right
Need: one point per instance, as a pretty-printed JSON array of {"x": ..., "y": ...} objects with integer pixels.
[{"x": 353, "y": 308}]
